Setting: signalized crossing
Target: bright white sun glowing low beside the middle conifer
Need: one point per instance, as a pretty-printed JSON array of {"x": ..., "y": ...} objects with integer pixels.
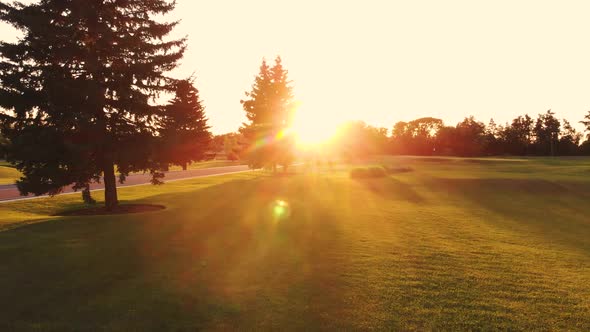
[{"x": 310, "y": 129}]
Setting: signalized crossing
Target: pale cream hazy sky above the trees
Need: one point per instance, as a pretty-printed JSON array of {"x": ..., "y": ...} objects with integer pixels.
[{"x": 385, "y": 61}]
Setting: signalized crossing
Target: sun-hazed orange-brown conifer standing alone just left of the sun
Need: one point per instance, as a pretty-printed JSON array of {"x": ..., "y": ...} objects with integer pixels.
[{"x": 269, "y": 109}]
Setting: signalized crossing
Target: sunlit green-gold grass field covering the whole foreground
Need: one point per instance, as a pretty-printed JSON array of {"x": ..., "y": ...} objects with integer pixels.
[{"x": 456, "y": 244}]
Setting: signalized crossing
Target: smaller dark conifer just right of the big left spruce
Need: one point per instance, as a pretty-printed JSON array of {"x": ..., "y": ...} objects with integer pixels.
[{"x": 185, "y": 134}]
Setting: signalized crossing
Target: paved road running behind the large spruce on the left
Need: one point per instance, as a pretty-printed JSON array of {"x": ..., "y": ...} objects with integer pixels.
[{"x": 10, "y": 193}]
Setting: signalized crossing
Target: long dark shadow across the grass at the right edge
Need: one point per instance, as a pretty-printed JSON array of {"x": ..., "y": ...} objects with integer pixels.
[{"x": 556, "y": 211}]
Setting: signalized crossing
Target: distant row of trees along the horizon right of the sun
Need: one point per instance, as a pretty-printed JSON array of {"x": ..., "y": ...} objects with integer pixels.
[{"x": 544, "y": 135}]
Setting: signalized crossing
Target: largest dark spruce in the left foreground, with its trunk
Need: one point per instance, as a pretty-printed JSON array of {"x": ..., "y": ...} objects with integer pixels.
[{"x": 79, "y": 90}]
